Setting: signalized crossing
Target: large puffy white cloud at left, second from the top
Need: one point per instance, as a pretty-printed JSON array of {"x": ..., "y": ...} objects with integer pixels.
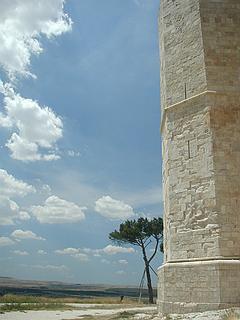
[{"x": 36, "y": 129}]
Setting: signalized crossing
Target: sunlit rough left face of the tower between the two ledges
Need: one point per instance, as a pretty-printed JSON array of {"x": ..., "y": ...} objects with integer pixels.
[{"x": 191, "y": 222}]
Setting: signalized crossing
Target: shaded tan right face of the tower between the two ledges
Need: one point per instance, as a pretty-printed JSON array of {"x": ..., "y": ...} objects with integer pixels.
[{"x": 225, "y": 122}]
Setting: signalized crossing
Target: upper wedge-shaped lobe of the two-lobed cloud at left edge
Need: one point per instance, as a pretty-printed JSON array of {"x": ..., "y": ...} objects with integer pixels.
[{"x": 10, "y": 186}]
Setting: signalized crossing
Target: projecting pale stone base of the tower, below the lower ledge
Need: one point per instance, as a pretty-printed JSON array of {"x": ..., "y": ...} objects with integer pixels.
[{"x": 198, "y": 285}]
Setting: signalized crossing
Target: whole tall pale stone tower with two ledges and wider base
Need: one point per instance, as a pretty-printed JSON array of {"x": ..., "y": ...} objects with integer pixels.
[{"x": 200, "y": 84}]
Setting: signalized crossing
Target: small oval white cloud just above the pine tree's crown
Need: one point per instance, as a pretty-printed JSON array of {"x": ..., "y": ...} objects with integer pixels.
[{"x": 113, "y": 209}]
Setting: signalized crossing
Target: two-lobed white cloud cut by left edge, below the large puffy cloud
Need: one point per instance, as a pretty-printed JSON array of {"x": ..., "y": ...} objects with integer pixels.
[{"x": 11, "y": 187}]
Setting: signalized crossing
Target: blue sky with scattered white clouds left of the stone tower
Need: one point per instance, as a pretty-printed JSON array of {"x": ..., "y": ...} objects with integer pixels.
[{"x": 80, "y": 148}]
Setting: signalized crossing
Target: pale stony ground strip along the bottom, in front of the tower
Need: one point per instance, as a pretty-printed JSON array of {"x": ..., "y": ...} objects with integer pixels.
[{"x": 110, "y": 312}]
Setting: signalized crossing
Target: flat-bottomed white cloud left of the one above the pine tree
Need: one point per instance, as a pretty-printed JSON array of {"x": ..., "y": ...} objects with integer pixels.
[{"x": 56, "y": 210}]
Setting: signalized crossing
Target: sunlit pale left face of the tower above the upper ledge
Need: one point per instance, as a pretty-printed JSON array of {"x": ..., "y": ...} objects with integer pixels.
[{"x": 182, "y": 53}]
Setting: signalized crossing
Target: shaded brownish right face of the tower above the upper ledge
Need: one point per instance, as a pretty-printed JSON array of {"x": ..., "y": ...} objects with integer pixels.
[{"x": 220, "y": 24}]
